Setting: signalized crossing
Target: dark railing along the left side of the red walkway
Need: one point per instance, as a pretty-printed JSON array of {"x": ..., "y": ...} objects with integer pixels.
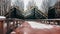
[{"x": 9, "y": 24}]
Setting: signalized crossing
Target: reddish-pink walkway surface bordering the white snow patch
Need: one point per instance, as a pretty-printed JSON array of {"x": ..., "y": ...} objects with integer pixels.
[{"x": 27, "y": 29}]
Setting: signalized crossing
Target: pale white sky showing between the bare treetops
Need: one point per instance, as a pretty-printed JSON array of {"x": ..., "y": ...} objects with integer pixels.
[{"x": 39, "y": 3}]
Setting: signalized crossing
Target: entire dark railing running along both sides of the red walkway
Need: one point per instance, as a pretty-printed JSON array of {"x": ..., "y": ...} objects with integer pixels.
[{"x": 14, "y": 23}]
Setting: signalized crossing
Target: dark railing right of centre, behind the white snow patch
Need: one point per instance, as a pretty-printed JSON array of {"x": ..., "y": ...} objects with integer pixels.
[{"x": 46, "y": 21}]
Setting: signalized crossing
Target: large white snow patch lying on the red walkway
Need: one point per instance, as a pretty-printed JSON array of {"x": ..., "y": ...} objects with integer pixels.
[{"x": 39, "y": 25}]
